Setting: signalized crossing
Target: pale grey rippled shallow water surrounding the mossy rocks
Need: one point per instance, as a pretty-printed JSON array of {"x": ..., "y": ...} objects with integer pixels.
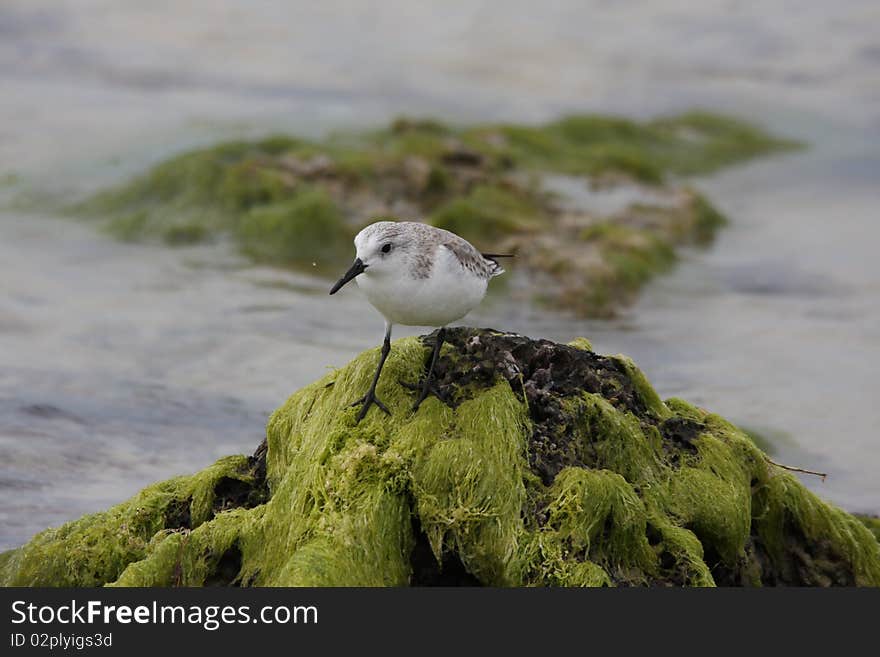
[{"x": 124, "y": 364}]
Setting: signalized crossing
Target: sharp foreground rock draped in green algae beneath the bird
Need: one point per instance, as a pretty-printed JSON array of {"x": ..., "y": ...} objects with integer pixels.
[{"x": 536, "y": 463}]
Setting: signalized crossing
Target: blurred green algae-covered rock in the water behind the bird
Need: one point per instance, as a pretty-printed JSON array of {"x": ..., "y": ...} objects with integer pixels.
[{"x": 297, "y": 202}]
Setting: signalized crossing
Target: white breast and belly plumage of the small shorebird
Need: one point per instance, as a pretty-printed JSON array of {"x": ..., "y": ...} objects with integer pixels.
[{"x": 447, "y": 294}]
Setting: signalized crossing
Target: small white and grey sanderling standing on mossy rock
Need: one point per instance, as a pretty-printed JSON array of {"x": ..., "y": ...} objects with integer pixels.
[{"x": 417, "y": 275}]
